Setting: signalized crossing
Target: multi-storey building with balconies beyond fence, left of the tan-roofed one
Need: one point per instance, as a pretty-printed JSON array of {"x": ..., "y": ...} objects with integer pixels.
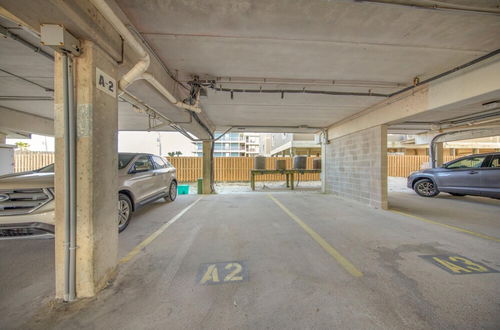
[{"x": 234, "y": 145}]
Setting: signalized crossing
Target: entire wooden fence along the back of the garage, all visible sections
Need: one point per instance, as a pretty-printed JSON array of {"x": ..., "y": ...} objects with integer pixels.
[{"x": 231, "y": 169}]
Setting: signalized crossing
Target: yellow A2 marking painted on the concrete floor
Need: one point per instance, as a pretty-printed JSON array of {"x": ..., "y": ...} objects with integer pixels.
[{"x": 222, "y": 272}]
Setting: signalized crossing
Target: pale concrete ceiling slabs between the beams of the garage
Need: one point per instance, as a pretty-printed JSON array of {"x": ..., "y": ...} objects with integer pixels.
[{"x": 340, "y": 46}]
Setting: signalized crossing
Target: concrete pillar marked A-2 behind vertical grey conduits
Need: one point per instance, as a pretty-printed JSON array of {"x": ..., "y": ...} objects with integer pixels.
[{"x": 96, "y": 172}]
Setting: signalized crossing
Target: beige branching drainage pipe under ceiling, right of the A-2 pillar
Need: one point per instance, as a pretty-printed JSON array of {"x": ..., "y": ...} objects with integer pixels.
[{"x": 140, "y": 68}]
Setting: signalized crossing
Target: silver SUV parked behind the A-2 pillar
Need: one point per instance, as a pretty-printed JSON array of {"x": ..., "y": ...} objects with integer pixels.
[{"x": 27, "y": 199}]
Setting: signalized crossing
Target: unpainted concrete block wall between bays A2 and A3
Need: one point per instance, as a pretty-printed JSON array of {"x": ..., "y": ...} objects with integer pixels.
[{"x": 356, "y": 166}]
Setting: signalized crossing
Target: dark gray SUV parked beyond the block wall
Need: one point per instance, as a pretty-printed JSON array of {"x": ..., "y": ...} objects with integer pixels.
[{"x": 477, "y": 175}]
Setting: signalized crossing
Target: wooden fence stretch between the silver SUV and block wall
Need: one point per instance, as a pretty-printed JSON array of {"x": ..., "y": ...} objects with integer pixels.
[{"x": 232, "y": 169}]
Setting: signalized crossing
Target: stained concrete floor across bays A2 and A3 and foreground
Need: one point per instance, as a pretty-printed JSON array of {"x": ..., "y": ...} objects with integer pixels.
[{"x": 309, "y": 261}]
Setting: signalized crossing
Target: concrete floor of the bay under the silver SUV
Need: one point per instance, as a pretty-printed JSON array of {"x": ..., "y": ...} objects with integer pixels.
[{"x": 27, "y": 265}]
